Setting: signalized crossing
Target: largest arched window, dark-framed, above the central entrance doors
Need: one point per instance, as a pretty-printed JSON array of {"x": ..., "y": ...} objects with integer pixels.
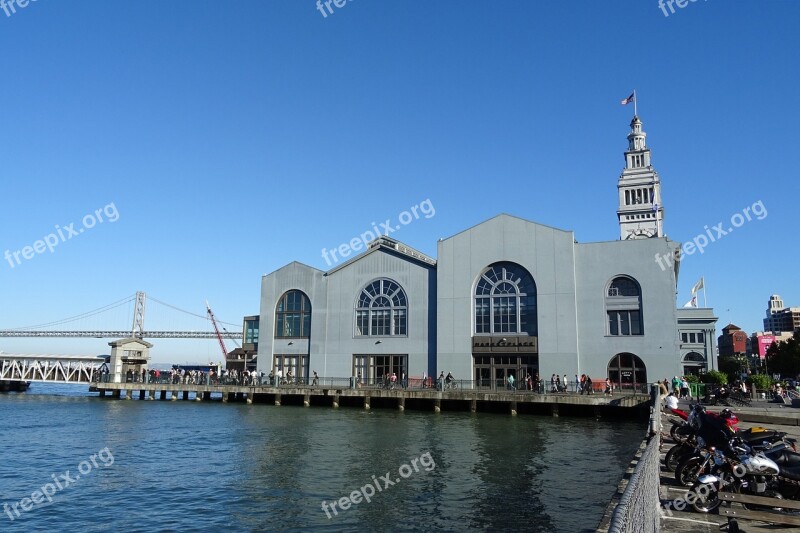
[{"x": 505, "y": 301}]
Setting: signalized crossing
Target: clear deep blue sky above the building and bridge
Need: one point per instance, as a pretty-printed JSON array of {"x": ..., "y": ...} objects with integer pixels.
[{"x": 233, "y": 138}]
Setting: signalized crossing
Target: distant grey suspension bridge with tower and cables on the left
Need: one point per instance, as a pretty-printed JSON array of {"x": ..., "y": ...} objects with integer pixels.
[{"x": 135, "y": 305}]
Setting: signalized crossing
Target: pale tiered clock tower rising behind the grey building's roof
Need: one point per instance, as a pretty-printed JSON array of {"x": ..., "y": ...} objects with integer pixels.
[{"x": 640, "y": 212}]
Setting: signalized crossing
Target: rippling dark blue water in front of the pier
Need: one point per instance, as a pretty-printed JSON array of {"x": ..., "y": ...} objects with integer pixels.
[{"x": 186, "y": 466}]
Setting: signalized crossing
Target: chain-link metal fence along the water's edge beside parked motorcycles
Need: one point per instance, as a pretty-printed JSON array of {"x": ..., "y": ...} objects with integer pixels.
[{"x": 639, "y": 509}]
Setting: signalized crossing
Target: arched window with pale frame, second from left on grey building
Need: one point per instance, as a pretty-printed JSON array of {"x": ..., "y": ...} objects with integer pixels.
[{"x": 381, "y": 309}]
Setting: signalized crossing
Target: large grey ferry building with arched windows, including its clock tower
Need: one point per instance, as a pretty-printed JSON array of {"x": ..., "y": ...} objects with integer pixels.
[{"x": 505, "y": 297}]
